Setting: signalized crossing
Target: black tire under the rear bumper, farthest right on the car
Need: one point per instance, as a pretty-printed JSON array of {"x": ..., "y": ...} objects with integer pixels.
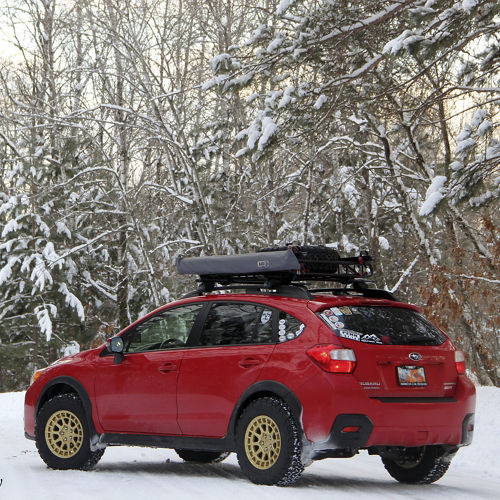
[{"x": 426, "y": 466}]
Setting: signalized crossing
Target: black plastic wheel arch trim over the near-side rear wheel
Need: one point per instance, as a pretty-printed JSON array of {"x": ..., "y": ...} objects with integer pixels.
[{"x": 266, "y": 388}]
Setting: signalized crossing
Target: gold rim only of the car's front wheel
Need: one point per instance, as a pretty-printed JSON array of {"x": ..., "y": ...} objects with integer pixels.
[{"x": 64, "y": 434}]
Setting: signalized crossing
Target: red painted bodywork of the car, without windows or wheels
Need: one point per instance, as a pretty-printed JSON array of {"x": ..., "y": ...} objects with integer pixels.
[{"x": 193, "y": 391}]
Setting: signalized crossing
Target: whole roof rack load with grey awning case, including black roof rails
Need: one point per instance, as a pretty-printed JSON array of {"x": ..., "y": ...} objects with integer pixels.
[{"x": 282, "y": 272}]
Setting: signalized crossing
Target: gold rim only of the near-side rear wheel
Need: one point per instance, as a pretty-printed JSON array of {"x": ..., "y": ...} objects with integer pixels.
[{"x": 262, "y": 442}]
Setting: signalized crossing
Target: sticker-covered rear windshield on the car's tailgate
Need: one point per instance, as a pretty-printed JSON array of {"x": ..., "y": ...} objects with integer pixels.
[{"x": 382, "y": 325}]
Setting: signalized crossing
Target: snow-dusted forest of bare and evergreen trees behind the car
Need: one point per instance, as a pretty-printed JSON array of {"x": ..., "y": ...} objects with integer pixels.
[{"x": 134, "y": 131}]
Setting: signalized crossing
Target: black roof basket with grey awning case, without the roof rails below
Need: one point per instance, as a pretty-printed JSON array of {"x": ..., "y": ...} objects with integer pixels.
[{"x": 272, "y": 268}]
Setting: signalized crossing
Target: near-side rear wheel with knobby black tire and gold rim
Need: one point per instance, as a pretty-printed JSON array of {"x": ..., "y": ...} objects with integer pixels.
[{"x": 269, "y": 443}]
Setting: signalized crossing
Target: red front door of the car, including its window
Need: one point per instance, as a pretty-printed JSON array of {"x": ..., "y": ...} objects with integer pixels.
[{"x": 139, "y": 394}]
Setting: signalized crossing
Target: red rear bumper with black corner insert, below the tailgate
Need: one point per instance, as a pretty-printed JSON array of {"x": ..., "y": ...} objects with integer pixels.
[{"x": 358, "y": 421}]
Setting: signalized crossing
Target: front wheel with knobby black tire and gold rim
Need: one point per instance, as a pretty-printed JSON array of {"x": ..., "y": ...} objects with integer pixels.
[{"x": 62, "y": 434}]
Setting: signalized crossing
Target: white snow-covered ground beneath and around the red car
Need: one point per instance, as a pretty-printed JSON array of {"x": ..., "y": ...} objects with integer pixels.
[{"x": 132, "y": 473}]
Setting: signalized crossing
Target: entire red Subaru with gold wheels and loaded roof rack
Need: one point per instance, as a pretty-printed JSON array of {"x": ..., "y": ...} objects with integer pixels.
[{"x": 279, "y": 373}]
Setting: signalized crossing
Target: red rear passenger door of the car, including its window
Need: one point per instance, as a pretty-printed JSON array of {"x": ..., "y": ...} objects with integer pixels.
[{"x": 236, "y": 341}]
